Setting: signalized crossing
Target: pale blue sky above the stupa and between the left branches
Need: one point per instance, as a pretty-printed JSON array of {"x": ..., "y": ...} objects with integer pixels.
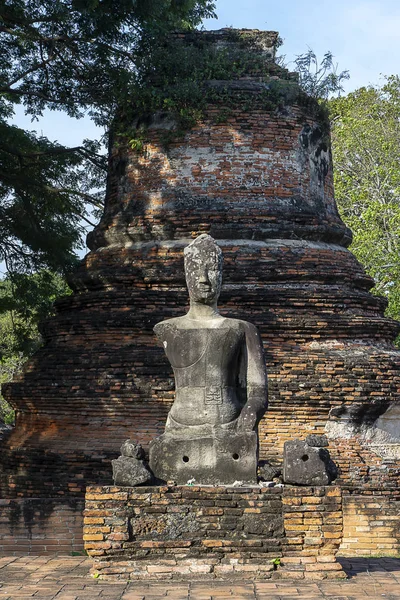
[{"x": 363, "y": 35}]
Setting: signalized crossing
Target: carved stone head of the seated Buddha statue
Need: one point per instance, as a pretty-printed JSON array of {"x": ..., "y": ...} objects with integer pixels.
[{"x": 203, "y": 270}]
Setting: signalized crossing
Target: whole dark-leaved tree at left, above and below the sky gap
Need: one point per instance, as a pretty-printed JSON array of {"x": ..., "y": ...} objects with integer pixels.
[{"x": 82, "y": 57}]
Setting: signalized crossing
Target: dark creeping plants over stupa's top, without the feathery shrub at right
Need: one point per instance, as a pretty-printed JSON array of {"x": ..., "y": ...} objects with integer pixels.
[{"x": 182, "y": 78}]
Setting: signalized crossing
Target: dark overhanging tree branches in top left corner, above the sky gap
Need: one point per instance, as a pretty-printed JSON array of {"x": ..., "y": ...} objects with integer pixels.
[{"x": 78, "y": 55}]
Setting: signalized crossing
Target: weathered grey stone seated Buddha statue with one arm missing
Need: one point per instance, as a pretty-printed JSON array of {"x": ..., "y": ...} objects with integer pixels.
[{"x": 220, "y": 384}]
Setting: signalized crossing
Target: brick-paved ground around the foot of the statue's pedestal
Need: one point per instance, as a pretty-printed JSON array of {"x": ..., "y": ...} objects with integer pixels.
[{"x": 66, "y": 578}]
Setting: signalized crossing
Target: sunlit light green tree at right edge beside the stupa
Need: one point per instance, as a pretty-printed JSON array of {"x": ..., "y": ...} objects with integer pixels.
[{"x": 366, "y": 153}]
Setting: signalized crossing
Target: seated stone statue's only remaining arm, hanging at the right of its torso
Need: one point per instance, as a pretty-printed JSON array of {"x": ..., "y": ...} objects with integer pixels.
[{"x": 256, "y": 380}]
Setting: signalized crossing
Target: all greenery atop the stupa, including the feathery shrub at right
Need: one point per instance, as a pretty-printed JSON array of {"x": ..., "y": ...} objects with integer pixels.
[{"x": 183, "y": 79}]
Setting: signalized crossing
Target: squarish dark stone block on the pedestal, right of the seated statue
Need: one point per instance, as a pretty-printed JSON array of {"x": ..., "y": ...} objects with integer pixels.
[{"x": 307, "y": 465}]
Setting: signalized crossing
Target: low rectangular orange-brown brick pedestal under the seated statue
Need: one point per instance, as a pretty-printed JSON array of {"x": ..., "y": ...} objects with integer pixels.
[{"x": 186, "y": 531}]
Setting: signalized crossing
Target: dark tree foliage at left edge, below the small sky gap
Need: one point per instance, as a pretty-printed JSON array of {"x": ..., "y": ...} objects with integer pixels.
[{"x": 46, "y": 192}]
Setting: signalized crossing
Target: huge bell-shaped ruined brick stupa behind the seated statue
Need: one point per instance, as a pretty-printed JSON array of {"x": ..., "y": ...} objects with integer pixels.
[{"x": 258, "y": 178}]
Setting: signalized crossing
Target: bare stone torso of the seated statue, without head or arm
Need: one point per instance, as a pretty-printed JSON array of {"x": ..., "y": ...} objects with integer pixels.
[{"x": 206, "y": 364}]
